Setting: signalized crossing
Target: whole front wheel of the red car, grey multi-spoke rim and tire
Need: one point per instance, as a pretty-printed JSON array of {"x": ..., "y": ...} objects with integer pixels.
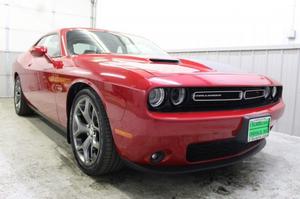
[{"x": 91, "y": 136}]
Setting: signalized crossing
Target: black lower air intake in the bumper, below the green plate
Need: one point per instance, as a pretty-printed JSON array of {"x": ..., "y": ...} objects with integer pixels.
[{"x": 213, "y": 150}]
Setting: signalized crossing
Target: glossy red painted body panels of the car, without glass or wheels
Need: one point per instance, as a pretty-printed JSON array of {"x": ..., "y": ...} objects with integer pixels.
[{"x": 123, "y": 83}]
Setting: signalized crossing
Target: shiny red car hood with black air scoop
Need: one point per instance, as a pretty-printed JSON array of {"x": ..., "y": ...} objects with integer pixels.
[{"x": 172, "y": 71}]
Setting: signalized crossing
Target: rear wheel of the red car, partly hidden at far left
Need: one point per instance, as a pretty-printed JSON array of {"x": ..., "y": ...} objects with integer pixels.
[{"x": 21, "y": 106}]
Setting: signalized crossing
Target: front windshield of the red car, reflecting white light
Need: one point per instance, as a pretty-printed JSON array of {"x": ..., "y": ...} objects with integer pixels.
[{"x": 98, "y": 42}]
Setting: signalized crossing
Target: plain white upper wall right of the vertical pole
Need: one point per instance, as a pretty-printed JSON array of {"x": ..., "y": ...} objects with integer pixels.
[{"x": 177, "y": 24}]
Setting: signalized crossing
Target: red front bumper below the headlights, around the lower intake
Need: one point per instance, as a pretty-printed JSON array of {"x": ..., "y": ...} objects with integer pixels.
[{"x": 173, "y": 133}]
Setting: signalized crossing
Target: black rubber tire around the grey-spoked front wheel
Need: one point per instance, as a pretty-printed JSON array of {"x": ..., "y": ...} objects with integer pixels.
[{"x": 107, "y": 160}]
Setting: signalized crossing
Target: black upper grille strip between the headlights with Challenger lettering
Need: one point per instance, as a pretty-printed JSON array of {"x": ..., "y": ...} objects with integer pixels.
[{"x": 221, "y": 98}]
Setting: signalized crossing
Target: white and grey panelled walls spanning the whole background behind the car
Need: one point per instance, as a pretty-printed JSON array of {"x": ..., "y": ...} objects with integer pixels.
[{"x": 174, "y": 24}]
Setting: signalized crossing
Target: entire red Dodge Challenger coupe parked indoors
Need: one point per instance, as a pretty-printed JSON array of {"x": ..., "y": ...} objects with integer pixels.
[{"x": 122, "y": 100}]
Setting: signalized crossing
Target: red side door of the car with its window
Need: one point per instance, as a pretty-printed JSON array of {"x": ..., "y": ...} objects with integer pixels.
[{"x": 43, "y": 96}]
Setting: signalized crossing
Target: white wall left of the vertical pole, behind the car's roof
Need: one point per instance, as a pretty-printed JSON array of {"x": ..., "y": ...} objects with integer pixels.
[{"x": 22, "y": 22}]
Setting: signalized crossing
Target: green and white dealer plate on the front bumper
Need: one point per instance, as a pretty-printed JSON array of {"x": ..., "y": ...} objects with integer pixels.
[{"x": 258, "y": 128}]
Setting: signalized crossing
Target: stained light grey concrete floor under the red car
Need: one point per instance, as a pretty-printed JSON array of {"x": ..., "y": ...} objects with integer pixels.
[{"x": 37, "y": 162}]
